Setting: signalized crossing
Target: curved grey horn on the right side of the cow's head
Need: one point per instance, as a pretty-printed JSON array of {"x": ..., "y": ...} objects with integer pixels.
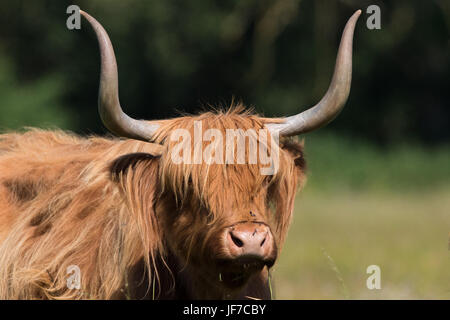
[{"x": 336, "y": 96}]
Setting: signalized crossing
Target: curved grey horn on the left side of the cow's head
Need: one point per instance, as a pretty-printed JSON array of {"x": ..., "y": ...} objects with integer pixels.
[{"x": 109, "y": 108}]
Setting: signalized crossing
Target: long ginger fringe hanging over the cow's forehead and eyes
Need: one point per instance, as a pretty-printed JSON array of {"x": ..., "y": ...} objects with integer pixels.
[{"x": 206, "y": 182}]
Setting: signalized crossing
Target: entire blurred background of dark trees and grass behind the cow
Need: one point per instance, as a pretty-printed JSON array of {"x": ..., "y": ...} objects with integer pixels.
[{"x": 378, "y": 187}]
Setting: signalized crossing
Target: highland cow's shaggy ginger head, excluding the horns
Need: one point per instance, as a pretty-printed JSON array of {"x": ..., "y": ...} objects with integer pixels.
[{"x": 227, "y": 219}]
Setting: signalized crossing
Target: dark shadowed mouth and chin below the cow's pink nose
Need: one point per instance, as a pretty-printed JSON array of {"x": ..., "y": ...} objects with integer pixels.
[{"x": 235, "y": 273}]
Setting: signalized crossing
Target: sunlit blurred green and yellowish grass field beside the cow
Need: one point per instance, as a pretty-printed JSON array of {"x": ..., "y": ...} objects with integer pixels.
[{"x": 390, "y": 209}]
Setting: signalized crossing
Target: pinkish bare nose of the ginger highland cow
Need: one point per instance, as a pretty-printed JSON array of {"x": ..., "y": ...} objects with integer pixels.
[{"x": 253, "y": 240}]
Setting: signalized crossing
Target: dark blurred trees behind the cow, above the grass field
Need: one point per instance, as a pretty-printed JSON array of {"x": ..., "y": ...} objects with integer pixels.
[{"x": 276, "y": 55}]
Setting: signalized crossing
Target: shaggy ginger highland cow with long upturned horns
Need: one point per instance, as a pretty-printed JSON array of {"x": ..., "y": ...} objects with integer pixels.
[{"x": 135, "y": 223}]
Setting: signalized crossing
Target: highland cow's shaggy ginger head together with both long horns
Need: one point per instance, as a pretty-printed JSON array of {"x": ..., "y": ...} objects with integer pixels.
[{"x": 225, "y": 219}]
